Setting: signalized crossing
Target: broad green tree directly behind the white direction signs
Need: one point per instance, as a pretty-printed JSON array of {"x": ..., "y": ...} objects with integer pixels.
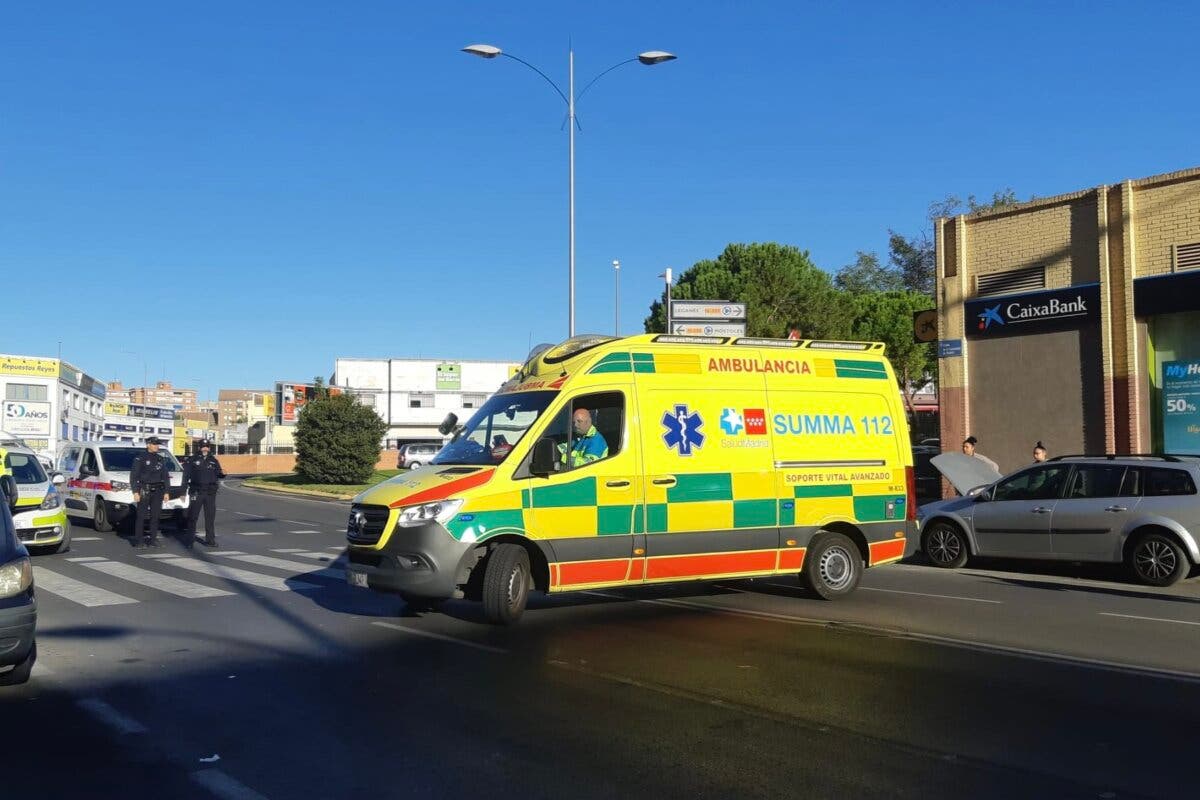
[{"x": 781, "y": 285}]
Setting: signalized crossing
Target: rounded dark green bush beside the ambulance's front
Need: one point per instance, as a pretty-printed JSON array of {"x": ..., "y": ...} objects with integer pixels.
[{"x": 338, "y": 441}]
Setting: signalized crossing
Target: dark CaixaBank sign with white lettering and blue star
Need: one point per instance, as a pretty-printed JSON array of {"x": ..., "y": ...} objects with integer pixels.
[{"x": 1035, "y": 312}]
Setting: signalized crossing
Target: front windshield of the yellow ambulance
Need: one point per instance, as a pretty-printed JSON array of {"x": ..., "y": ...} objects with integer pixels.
[{"x": 491, "y": 435}]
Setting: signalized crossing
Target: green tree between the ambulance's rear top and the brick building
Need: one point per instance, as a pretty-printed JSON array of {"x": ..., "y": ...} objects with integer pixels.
[{"x": 887, "y": 317}]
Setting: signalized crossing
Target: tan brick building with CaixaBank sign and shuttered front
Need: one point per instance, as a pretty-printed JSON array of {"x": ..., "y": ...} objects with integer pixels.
[{"x": 1073, "y": 320}]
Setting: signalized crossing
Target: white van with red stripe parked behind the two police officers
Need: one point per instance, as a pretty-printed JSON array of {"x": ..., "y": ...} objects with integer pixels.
[{"x": 98, "y": 484}]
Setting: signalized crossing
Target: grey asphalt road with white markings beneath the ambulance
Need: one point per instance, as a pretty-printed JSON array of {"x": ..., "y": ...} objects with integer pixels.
[{"x": 256, "y": 672}]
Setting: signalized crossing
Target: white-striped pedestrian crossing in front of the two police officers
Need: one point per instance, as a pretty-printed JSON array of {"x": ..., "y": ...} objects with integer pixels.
[{"x": 98, "y": 582}]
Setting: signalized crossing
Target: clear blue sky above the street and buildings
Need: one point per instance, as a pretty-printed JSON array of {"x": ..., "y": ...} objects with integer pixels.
[{"x": 241, "y": 193}]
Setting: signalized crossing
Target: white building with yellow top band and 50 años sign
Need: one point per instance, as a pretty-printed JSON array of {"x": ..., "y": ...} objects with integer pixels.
[{"x": 49, "y": 402}]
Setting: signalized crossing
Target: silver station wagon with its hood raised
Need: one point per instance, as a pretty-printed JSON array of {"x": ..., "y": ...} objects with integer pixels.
[{"x": 1139, "y": 510}]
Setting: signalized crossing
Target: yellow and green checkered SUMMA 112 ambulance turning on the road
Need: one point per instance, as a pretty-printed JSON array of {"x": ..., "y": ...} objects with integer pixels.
[{"x": 622, "y": 462}]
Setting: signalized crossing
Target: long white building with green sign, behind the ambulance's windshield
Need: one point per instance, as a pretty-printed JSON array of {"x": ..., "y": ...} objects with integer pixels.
[{"x": 415, "y": 395}]
